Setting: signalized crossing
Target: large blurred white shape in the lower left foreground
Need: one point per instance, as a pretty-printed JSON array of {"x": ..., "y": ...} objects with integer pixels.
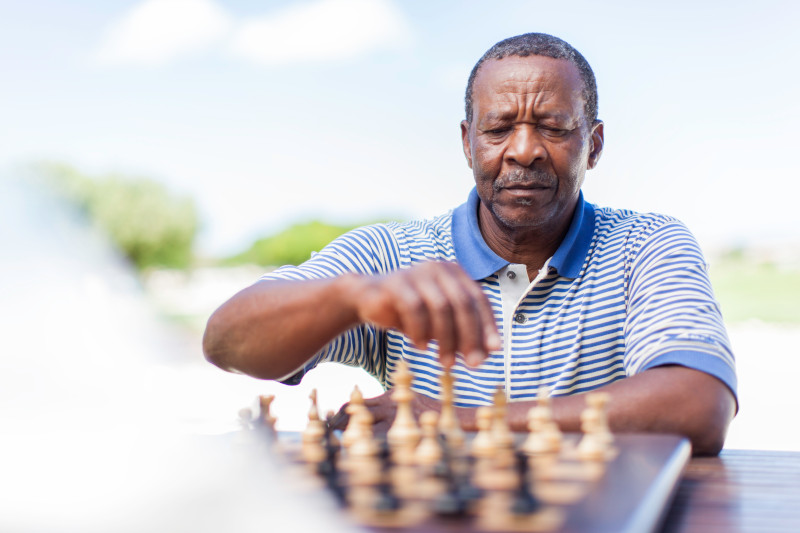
[{"x": 94, "y": 396}]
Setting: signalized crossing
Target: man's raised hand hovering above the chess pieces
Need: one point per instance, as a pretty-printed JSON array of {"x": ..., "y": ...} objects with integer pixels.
[{"x": 433, "y": 301}]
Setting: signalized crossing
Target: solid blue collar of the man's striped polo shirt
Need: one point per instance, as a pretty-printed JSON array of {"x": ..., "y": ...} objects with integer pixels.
[{"x": 480, "y": 262}]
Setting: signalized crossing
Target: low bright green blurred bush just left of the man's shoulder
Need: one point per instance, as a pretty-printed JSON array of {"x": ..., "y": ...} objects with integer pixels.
[{"x": 291, "y": 246}]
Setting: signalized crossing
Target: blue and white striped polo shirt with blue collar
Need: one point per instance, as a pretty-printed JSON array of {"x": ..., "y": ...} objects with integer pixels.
[{"x": 624, "y": 292}]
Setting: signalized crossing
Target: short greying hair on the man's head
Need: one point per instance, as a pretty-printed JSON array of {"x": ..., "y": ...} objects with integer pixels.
[{"x": 539, "y": 44}]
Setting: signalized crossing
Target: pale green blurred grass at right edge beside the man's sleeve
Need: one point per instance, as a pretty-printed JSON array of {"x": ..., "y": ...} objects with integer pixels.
[{"x": 746, "y": 290}]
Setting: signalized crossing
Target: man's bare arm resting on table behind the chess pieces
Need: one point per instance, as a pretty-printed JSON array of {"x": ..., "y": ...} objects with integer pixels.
[{"x": 665, "y": 399}]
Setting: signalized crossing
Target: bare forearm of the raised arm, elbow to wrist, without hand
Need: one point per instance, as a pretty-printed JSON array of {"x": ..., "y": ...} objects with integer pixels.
[{"x": 272, "y": 328}]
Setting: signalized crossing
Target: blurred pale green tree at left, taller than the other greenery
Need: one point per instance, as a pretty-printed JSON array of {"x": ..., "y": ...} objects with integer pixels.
[{"x": 148, "y": 224}]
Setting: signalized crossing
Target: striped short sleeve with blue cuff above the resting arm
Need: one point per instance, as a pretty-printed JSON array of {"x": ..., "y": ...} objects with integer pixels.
[{"x": 672, "y": 315}]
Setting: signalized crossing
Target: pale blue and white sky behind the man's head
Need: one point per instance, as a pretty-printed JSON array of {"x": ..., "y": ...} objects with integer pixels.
[{"x": 269, "y": 113}]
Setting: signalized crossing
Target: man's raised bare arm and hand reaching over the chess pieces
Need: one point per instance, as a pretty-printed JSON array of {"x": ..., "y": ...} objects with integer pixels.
[{"x": 272, "y": 328}]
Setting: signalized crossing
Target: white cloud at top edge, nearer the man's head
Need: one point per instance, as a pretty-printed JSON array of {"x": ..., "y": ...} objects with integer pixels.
[{"x": 321, "y": 30}]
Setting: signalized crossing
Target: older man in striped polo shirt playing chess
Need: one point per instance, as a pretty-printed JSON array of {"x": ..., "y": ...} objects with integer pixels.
[{"x": 526, "y": 286}]
